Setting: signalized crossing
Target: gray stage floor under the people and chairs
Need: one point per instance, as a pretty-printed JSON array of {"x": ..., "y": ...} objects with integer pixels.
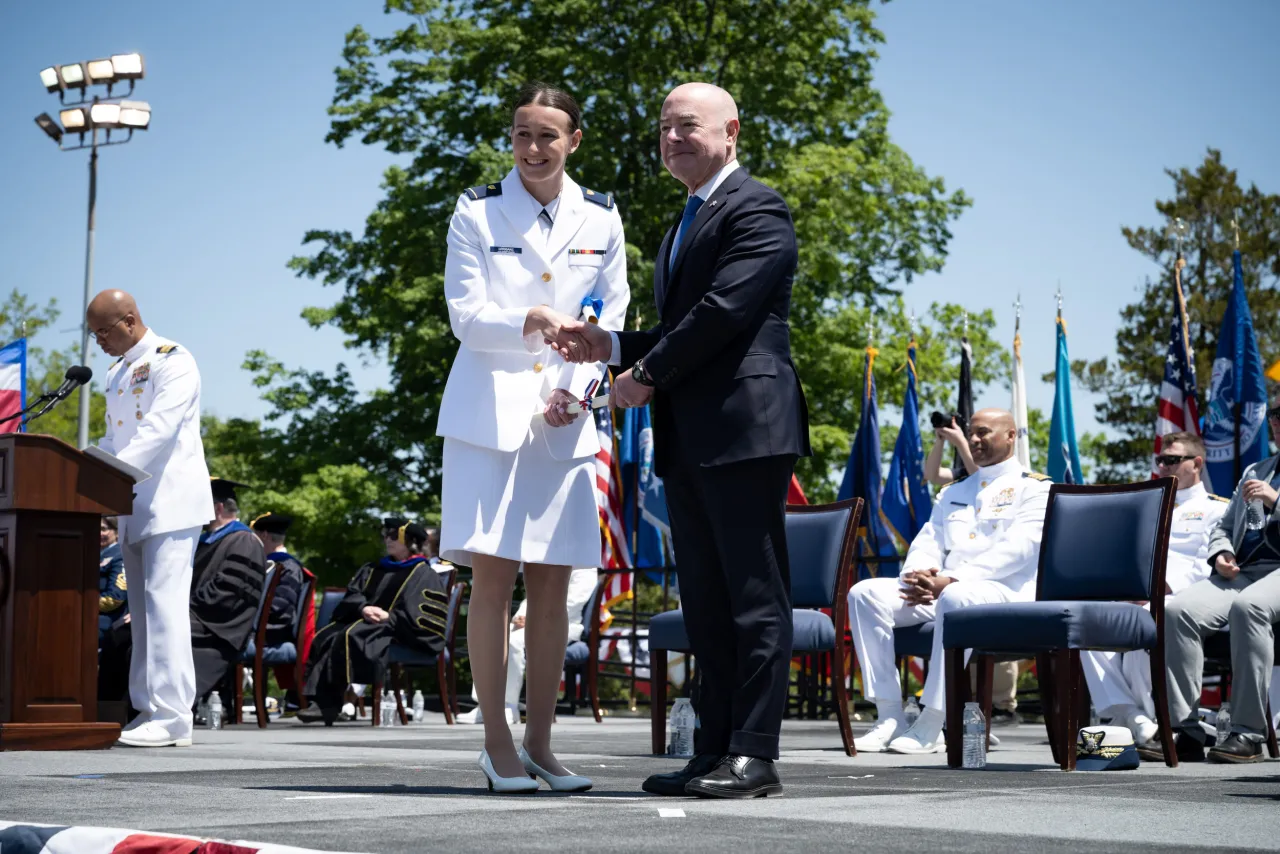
[{"x": 355, "y": 788}]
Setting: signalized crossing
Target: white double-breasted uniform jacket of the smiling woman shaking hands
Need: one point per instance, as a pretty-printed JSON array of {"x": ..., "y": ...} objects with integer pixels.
[{"x": 501, "y": 266}]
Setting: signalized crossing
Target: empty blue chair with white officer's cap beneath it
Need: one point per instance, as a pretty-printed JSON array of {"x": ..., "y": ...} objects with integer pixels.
[{"x": 1103, "y": 550}]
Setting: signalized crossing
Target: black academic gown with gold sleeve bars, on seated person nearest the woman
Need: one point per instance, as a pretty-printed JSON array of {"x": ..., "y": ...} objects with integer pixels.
[{"x": 351, "y": 650}]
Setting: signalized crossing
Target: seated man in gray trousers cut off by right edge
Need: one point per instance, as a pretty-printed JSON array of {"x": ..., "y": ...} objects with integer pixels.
[{"x": 1241, "y": 596}]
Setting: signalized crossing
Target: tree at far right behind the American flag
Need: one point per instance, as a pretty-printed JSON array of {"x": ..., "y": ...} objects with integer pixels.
[{"x": 1208, "y": 200}]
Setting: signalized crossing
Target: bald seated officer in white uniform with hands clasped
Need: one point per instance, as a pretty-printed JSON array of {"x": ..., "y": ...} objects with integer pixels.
[{"x": 981, "y": 546}]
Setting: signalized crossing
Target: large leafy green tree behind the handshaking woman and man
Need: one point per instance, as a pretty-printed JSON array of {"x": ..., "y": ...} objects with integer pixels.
[{"x": 813, "y": 126}]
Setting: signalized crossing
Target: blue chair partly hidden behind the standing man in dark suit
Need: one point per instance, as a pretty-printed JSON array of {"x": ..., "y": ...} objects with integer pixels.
[{"x": 821, "y": 551}]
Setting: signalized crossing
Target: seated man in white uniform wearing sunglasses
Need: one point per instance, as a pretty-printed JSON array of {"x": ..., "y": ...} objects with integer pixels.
[{"x": 1121, "y": 686}]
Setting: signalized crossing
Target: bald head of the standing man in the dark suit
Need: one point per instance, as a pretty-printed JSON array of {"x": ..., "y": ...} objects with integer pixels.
[{"x": 700, "y": 133}]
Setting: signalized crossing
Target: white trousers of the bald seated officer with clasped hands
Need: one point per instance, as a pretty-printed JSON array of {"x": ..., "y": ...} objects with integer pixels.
[{"x": 876, "y": 608}]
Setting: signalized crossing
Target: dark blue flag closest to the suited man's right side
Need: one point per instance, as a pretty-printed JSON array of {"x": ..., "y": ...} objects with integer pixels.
[{"x": 863, "y": 481}]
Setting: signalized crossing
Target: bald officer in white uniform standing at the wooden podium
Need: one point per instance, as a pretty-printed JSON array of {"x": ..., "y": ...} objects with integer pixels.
[{"x": 153, "y": 423}]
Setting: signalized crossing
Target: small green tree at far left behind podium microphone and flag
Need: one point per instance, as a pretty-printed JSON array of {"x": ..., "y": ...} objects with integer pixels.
[{"x": 20, "y": 317}]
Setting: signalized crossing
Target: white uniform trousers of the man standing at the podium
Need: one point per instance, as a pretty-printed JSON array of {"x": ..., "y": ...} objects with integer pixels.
[{"x": 162, "y": 672}]
